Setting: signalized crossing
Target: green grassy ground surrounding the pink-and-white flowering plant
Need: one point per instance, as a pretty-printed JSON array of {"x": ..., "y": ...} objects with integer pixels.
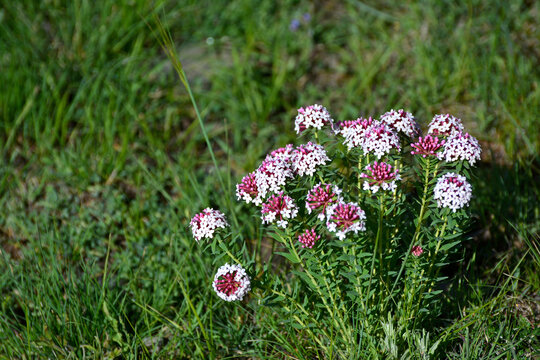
[{"x": 103, "y": 163}]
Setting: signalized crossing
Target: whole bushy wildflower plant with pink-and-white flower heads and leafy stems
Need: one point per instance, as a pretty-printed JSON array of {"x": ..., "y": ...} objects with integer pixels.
[{"x": 367, "y": 213}]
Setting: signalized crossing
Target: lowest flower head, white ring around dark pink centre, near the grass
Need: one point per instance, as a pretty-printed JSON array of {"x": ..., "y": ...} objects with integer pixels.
[{"x": 231, "y": 282}]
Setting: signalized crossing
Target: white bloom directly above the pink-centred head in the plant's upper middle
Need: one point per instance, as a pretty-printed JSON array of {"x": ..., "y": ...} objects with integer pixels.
[{"x": 380, "y": 139}]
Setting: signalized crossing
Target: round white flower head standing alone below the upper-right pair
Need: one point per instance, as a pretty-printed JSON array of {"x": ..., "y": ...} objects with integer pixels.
[{"x": 452, "y": 191}]
